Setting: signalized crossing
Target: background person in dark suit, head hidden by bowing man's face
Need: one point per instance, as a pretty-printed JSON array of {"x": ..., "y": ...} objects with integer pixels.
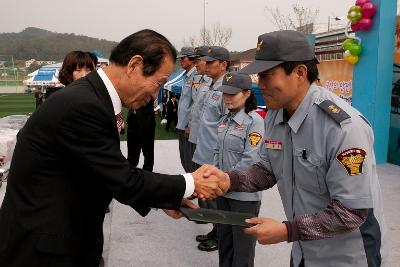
[{"x": 141, "y": 133}]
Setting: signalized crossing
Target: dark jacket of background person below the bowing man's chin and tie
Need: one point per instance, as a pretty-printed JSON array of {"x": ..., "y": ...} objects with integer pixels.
[{"x": 144, "y": 117}]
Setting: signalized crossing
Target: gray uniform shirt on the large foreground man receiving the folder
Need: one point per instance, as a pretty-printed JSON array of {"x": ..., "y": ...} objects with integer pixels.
[{"x": 325, "y": 152}]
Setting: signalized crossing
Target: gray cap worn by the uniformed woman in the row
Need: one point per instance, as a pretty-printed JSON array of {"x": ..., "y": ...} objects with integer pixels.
[{"x": 235, "y": 82}]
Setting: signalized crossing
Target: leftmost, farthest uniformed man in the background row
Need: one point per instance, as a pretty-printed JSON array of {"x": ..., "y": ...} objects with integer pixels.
[{"x": 186, "y": 57}]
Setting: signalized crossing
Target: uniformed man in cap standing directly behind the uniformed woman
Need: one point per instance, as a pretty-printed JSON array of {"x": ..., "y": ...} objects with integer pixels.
[{"x": 217, "y": 63}]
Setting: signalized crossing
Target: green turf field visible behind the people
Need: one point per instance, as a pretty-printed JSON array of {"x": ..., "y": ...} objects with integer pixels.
[{"x": 23, "y": 104}]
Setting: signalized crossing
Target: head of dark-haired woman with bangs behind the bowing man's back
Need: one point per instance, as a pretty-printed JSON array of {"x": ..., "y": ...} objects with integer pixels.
[{"x": 76, "y": 64}]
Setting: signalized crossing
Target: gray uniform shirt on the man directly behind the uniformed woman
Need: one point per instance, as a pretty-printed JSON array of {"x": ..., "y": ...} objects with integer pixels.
[{"x": 213, "y": 111}]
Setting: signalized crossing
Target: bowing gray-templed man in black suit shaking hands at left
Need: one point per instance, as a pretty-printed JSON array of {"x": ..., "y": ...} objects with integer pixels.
[{"x": 67, "y": 164}]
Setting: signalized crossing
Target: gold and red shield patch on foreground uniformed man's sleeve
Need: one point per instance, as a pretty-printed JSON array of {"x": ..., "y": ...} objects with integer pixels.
[{"x": 352, "y": 160}]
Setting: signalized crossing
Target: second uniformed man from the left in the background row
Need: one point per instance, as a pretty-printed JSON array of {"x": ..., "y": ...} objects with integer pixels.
[{"x": 200, "y": 87}]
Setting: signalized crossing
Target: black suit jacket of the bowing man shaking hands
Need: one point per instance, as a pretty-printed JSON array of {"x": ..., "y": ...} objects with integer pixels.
[{"x": 66, "y": 168}]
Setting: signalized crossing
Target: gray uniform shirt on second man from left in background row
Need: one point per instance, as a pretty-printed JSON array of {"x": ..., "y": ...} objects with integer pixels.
[{"x": 201, "y": 86}]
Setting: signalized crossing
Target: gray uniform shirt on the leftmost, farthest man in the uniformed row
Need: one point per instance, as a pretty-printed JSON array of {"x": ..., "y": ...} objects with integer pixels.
[{"x": 186, "y": 100}]
